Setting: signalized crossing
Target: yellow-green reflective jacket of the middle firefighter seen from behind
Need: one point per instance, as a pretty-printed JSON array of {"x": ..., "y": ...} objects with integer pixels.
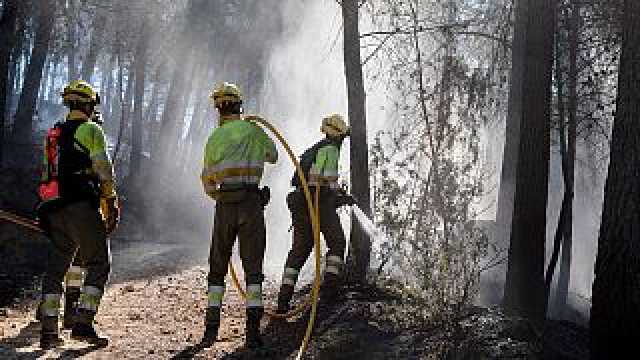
[{"x": 235, "y": 155}]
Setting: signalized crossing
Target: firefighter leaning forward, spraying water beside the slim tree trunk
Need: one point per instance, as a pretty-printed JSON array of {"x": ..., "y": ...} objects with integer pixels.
[{"x": 320, "y": 166}]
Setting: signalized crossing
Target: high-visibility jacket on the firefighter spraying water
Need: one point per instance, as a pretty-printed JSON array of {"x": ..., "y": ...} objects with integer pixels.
[{"x": 320, "y": 164}]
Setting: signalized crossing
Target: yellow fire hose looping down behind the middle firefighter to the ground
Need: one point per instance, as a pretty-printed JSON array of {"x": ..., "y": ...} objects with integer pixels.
[{"x": 315, "y": 224}]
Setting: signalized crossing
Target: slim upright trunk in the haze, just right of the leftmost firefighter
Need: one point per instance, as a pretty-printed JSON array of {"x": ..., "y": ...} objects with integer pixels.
[{"x": 136, "y": 135}]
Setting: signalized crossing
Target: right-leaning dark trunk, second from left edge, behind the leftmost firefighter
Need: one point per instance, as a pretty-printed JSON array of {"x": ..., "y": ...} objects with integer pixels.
[{"x": 23, "y": 126}]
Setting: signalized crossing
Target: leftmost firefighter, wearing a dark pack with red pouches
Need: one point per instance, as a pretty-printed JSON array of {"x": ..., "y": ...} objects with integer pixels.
[{"x": 78, "y": 209}]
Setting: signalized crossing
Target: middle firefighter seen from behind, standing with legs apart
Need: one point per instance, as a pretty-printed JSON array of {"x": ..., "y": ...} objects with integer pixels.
[{"x": 234, "y": 159}]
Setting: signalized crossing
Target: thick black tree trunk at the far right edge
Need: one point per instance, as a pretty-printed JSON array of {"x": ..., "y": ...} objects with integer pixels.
[{"x": 615, "y": 310}]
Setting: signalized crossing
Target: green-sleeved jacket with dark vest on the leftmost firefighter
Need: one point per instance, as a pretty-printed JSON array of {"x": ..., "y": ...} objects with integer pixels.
[{"x": 89, "y": 158}]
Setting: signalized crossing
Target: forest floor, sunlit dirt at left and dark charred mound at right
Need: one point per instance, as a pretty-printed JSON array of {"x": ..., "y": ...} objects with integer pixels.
[{"x": 153, "y": 311}]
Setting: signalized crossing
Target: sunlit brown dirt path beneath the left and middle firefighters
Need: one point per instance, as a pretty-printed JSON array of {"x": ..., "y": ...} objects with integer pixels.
[{"x": 152, "y": 319}]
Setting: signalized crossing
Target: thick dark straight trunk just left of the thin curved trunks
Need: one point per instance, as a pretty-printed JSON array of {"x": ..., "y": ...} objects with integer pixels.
[{"x": 524, "y": 288}]
